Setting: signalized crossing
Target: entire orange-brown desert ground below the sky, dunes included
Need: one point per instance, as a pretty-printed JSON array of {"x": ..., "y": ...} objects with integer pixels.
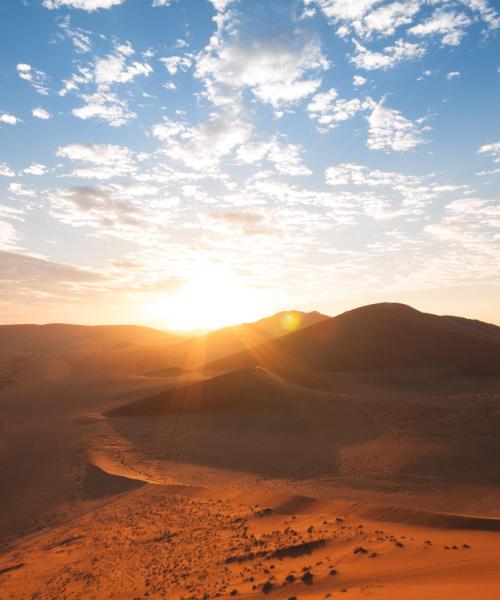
[{"x": 129, "y": 470}]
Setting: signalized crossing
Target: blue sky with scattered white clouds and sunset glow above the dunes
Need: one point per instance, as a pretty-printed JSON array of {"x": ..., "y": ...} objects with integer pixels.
[{"x": 196, "y": 163}]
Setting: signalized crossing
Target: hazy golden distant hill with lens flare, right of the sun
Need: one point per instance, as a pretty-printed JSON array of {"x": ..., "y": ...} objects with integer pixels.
[{"x": 213, "y": 345}]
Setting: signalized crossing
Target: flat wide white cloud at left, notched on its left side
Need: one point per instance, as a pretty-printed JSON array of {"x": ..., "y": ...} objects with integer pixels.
[{"x": 106, "y": 160}]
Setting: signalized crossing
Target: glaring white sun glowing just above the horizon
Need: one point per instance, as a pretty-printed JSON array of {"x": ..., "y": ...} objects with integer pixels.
[{"x": 213, "y": 297}]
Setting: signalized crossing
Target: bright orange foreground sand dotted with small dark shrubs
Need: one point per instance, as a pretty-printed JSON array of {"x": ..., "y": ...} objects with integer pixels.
[{"x": 195, "y": 543}]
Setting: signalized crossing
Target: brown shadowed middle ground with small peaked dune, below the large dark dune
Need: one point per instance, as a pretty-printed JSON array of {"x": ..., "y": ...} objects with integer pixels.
[{"x": 272, "y": 428}]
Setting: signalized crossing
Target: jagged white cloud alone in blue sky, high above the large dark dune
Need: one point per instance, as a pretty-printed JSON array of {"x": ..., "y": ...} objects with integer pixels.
[{"x": 388, "y": 129}]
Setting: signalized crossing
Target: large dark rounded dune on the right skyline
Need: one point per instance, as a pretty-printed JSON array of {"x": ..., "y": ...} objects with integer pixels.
[{"x": 379, "y": 336}]
